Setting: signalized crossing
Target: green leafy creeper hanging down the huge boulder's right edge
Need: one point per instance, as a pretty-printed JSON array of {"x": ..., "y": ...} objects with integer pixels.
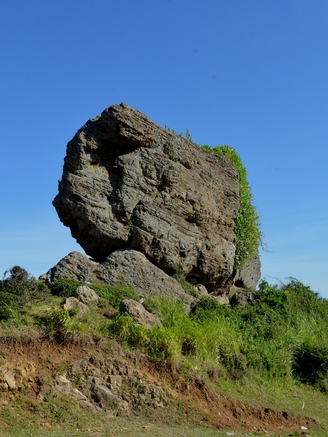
[{"x": 247, "y": 223}]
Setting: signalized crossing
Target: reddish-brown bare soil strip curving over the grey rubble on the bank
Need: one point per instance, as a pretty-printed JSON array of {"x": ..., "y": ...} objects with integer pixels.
[{"x": 193, "y": 399}]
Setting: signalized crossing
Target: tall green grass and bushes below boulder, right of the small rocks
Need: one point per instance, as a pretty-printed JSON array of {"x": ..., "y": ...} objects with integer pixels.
[{"x": 283, "y": 336}]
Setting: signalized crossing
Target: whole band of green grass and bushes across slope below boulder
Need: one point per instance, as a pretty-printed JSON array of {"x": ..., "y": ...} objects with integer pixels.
[{"x": 282, "y": 337}]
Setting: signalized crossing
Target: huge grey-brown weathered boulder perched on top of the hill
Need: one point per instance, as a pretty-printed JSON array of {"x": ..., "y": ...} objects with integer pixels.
[{"x": 129, "y": 184}]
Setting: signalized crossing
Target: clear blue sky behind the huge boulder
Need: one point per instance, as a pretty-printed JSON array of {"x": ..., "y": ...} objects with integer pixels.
[{"x": 248, "y": 73}]
